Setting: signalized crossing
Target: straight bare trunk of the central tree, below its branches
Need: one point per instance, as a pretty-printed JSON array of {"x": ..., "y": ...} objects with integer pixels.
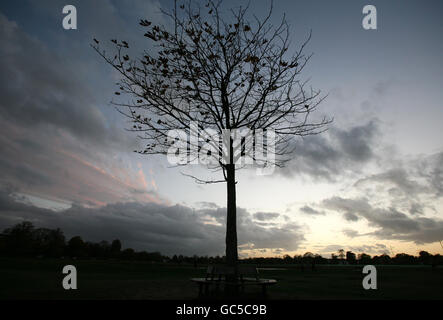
[{"x": 231, "y": 220}]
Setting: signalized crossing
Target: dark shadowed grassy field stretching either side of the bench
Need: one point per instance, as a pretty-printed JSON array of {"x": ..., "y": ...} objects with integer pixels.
[{"x": 42, "y": 279}]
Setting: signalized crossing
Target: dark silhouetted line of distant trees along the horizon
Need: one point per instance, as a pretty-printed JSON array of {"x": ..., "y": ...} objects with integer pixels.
[{"x": 24, "y": 240}]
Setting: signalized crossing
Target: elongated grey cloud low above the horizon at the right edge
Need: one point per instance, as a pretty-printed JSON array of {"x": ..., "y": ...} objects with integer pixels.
[{"x": 391, "y": 223}]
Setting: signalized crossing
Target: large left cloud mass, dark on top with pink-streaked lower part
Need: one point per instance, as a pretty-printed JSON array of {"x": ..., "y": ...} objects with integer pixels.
[{"x": 54, "y": 139}]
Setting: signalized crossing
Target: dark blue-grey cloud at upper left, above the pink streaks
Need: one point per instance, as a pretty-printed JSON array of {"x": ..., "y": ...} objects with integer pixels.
[{"x": 40, "y": 90}]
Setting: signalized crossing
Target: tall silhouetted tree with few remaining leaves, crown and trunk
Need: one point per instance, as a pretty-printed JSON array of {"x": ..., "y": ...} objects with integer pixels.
[{"x": 224, "y": 73}]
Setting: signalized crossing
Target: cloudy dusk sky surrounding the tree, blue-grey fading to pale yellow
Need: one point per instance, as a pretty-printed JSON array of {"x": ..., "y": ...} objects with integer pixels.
[{"x": 372, "y": 183}]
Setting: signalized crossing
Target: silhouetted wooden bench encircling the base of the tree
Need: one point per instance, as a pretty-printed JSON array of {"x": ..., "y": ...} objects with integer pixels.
[{"x": 217, "y": 275}]
